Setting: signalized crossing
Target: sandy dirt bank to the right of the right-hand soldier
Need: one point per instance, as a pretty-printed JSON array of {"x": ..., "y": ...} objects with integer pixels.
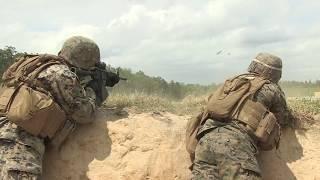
[{"x": 297, "y": 158}]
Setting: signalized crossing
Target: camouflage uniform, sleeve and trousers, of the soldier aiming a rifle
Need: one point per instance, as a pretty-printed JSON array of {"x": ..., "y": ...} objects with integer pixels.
[{"x": 21, "y": 153}]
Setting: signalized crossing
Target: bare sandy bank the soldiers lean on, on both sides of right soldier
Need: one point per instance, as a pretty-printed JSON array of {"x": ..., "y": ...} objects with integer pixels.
[{"x": 123, "y": 145}]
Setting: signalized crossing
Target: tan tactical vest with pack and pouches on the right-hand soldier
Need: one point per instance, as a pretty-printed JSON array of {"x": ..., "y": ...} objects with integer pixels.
[{"x": 231, "y": 102}]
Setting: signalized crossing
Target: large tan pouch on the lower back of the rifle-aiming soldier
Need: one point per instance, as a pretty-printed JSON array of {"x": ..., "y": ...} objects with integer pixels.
[{"x": 32, "y": 110}]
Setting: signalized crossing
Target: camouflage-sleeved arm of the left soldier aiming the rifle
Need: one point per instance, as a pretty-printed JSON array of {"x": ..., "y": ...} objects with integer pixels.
[{"x": 78, "y": 103}]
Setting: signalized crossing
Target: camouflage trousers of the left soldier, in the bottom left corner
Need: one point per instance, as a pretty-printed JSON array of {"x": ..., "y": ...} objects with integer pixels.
[{"x": 20, "y": 153}]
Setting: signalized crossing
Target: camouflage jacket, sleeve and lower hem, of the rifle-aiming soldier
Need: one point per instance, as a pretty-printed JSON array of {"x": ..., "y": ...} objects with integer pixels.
[{"x": 64, "y": 86}]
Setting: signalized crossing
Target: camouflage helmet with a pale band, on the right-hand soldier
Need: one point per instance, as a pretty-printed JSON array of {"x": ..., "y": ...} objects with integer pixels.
[{"x": 267, "y": 65}]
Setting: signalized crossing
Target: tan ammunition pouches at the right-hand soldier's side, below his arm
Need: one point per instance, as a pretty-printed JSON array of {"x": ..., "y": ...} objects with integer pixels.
[{"x": 261, "y": 123}]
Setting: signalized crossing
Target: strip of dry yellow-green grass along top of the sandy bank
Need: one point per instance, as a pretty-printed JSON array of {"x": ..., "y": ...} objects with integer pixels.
[{"x": 190, "y": 103}]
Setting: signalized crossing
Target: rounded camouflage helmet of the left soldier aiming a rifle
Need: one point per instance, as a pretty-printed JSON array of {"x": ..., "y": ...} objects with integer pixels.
[{"x": 80, "y": 52}]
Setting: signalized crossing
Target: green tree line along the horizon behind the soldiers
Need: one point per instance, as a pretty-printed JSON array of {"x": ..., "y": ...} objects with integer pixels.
[{"x": 139, "y": 82}]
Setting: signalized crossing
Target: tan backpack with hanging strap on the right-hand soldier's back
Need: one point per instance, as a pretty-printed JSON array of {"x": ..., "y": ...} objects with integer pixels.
[{"x": 222, "y": 105}]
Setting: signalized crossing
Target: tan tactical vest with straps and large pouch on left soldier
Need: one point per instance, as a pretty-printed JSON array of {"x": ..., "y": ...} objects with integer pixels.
[{"x": 25, "y": 101}]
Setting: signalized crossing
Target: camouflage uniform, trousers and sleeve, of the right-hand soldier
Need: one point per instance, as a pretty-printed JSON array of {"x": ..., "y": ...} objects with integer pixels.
[{"x": 226, "y": 150}]
